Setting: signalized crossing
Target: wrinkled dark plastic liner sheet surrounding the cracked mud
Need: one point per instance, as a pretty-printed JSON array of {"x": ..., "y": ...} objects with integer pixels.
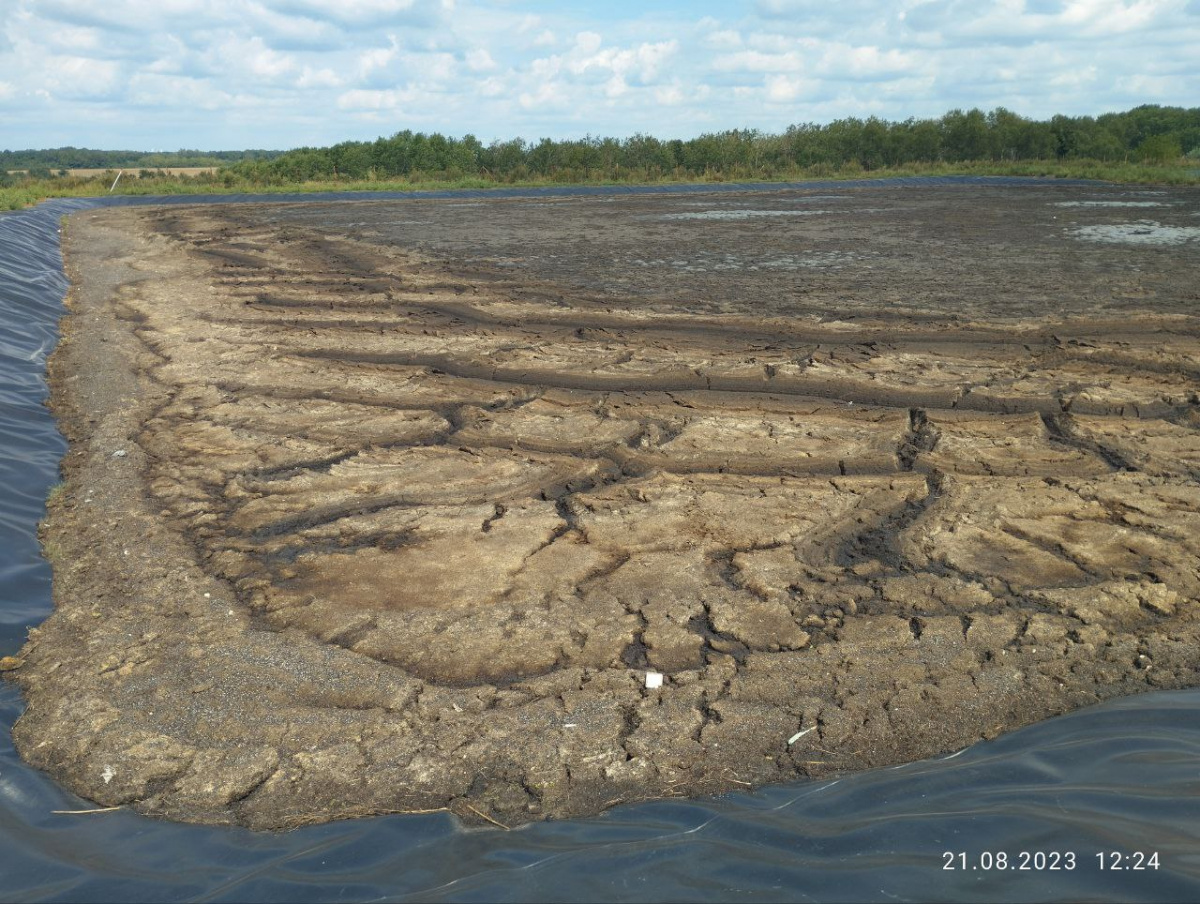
[{"x": 1120, "y": 780}]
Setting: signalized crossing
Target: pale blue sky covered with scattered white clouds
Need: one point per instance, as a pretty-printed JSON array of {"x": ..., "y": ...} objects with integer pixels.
[{"x": 164, "y": 75}]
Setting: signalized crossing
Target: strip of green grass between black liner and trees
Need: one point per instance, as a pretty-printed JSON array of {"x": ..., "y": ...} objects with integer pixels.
[{"x": 28, "y": 191}]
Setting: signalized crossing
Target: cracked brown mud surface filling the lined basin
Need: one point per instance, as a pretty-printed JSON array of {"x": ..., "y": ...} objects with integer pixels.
[{"x": 383, "y": 507}]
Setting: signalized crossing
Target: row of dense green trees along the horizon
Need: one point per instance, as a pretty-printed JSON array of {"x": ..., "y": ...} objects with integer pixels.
[{"x": 1148, "y": 134}]
